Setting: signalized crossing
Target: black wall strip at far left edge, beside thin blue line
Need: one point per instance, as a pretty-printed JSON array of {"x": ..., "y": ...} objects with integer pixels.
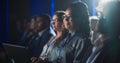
[{"x": 2, "y": 21}]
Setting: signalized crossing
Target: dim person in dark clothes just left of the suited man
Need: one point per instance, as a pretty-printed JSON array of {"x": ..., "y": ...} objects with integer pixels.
[{"x": 29, "y": 32}]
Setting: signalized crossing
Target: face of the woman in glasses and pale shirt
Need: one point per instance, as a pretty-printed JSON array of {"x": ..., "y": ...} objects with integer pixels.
[{"x": 57, "y": 25}]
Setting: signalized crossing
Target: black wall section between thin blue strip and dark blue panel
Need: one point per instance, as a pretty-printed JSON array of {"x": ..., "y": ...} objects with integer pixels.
[{"x": 18, "y": 9}]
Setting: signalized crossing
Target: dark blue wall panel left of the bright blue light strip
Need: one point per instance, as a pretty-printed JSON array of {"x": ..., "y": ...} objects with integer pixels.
[{"x": 39, "y": 7}]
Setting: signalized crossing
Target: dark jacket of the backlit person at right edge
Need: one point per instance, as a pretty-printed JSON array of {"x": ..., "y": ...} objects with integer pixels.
[{"x": 110, "y": 53}]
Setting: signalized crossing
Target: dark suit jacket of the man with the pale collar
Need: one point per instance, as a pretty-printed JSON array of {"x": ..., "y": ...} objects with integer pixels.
[{"x": 36, "y": 46}]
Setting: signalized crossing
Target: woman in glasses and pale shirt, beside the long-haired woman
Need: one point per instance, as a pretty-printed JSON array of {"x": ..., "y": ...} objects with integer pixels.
[{"x": 48, "y": 50}]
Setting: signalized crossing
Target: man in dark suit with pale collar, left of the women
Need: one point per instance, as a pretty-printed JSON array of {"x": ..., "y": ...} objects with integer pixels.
[{"x": 41, "y": 38}]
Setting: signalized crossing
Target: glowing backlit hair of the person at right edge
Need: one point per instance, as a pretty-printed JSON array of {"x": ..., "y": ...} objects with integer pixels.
[{"x": 109, "y": 23}]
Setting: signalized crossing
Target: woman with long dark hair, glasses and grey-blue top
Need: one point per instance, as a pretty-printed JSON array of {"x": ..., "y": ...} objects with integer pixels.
[{"x": 77, "y": 46}]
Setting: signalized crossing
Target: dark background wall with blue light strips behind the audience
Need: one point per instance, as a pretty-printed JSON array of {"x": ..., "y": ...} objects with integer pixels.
[{"x": 11, "y": 10}]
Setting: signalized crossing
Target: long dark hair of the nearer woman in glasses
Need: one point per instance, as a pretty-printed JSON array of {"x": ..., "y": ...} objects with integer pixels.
[{"x": 80, "y": 17}]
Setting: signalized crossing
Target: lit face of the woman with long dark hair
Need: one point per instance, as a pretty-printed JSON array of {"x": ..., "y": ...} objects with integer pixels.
[{"x": 67, "y": 19}]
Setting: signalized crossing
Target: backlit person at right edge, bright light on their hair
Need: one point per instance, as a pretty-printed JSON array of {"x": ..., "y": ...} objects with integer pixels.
[{"x": 108, "y": 27}]
